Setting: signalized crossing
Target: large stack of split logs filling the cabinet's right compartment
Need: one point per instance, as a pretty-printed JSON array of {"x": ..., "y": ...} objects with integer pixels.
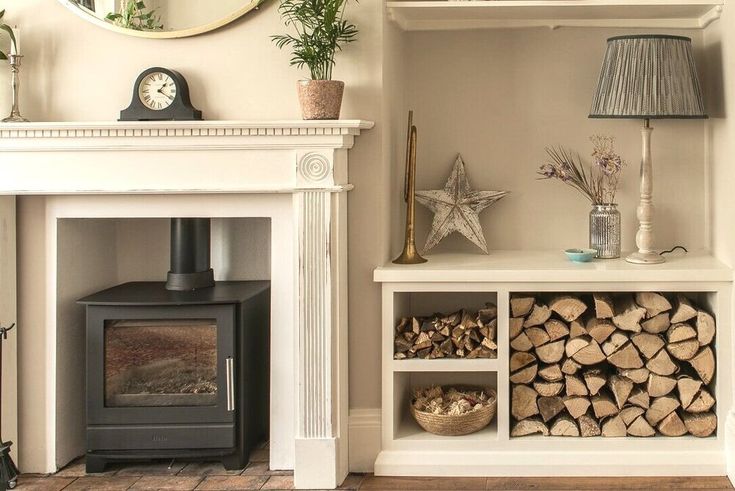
[{"x": 628, "y": 365}]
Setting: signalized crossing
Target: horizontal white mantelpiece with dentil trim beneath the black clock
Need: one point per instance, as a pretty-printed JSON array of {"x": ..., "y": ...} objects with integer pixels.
[{"x": 107, "y": 156}]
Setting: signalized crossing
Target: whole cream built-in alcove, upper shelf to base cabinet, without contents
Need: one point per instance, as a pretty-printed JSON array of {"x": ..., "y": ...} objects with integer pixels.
[{"x": 489, "y": 79}]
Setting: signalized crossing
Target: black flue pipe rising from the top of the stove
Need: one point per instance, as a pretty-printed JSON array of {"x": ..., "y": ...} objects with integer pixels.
[{"x": 190, "y": 254}]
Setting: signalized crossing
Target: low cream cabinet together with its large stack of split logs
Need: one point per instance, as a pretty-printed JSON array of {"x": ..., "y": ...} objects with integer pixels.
[{"x": 603, "y": 368}]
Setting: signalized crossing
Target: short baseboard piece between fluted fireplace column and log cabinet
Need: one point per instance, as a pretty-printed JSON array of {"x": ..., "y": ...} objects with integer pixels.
[{"x": 364, "y": 446}]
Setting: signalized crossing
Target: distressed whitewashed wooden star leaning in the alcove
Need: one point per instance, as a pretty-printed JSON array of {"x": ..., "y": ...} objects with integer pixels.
[{"x": 457, "y": 208}]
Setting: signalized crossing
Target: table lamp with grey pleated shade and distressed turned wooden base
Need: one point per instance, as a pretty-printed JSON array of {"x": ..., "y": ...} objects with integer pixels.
[{"x": 646, "y": 77}]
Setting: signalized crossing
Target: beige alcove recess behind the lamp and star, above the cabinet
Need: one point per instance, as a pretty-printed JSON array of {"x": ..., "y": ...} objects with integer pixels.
[{"x": 490, "y": 80}]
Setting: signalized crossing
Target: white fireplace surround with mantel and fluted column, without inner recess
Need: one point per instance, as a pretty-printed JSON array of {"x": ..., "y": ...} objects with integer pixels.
[{"x": 215, "y": 168}]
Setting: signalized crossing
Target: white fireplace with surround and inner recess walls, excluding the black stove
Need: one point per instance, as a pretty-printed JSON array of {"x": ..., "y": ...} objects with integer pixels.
[{"x": 292, "y": 174}]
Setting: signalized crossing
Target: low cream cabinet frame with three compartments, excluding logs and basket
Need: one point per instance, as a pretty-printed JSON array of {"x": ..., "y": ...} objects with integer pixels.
[{"x": 448, "y": 280}]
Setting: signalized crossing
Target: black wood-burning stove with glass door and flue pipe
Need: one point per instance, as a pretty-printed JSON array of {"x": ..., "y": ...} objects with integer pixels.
[{"x": 178, "y": 369}]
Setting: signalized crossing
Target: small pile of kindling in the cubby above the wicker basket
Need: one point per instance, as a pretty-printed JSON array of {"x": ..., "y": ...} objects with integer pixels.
[{"x": 462, "y": 334}]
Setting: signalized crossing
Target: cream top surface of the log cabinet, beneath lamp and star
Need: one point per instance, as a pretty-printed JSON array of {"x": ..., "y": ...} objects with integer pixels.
[{"x": 552, "y": 266}]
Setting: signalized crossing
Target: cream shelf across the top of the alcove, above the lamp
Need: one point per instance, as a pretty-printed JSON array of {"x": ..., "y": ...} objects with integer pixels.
[{"x": 431, "y": 15}]
